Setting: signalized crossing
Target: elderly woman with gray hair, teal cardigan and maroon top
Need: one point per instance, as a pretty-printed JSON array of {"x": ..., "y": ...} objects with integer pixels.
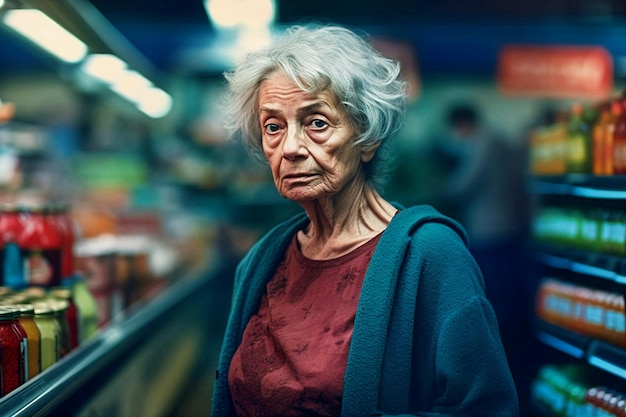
[{"x": 358, "y": 306}]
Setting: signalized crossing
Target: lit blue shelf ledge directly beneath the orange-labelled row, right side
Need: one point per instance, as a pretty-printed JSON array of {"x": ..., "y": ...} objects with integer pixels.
[{"x": 597, "y": 353}]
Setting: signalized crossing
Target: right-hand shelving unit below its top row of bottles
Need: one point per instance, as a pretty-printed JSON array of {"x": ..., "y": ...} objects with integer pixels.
[{"x": 579, "y": 231}]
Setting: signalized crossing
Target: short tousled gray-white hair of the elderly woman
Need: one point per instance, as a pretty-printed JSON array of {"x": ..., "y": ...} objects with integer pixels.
[{"x": 323, "y": 58}]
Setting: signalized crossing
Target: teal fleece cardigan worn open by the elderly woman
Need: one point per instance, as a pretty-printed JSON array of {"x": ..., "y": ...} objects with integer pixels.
[{"x": 425, "y": 340}]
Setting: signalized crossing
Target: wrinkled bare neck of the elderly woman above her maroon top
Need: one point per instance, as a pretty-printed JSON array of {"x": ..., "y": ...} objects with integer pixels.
[{"x": 342, "y": 223}]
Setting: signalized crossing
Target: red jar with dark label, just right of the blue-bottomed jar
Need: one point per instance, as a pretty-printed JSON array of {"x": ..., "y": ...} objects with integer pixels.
[{"x": 40, "y": 244}]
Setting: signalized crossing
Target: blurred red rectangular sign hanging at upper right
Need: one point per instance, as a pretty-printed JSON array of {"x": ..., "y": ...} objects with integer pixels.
[{"x": 556, "y": 72}]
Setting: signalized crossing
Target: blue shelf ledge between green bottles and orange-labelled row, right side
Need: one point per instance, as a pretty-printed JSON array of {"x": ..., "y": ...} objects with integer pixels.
[{"x": 607, "y": 267}]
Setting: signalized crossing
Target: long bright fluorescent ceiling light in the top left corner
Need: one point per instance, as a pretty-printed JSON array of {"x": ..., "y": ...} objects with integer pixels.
[{"x": 45, "y": 32}]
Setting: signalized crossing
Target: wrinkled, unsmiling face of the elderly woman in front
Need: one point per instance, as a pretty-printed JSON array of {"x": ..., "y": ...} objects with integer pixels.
[{"x": 307, "y": 139}]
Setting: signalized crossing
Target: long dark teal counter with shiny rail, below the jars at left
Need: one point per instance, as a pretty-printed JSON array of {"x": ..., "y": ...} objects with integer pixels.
[{"x": 104, "y": 376}]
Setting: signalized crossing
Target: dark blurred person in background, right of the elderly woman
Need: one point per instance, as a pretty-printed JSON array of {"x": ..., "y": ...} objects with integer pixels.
[{"x": 485, "y": 190}]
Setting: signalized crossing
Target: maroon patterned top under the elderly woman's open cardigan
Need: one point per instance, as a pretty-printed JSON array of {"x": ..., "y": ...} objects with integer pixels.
[{"x": 293, "y": 354}]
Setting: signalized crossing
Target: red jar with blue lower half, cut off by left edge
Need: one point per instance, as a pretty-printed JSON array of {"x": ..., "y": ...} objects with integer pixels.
[{"x": 11, "y": 271}]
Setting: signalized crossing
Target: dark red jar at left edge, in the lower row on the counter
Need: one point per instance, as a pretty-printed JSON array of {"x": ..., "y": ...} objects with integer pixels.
[{"x": 13, "y": 348}]
